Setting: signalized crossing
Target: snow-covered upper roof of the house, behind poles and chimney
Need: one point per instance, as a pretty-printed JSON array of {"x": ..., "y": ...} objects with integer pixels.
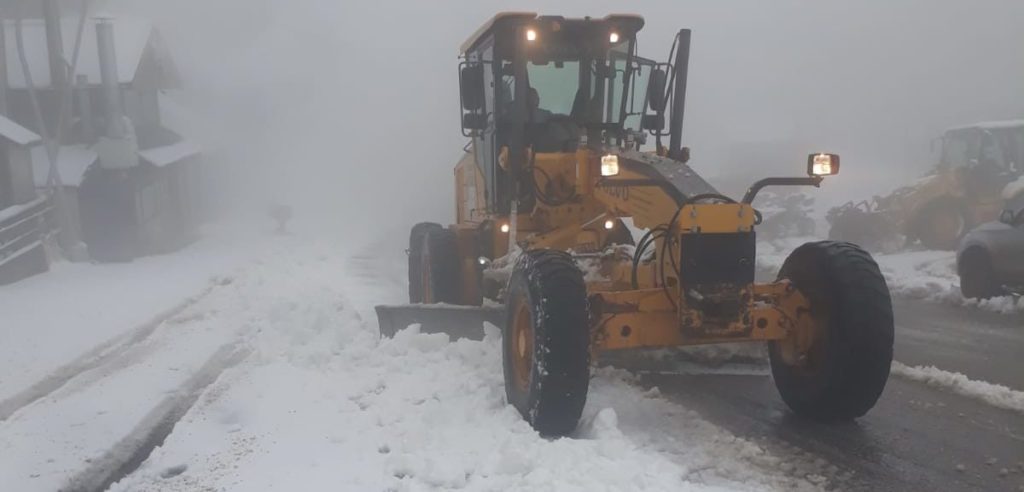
[{"x": 131, "y": 35}]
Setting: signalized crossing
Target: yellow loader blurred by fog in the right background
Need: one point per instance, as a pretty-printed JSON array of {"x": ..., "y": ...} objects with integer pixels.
[{"x": 965, "y": 190}]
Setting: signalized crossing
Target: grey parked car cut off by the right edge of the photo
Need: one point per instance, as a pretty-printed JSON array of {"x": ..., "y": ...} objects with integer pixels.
[{"x": 991, "y": 260}]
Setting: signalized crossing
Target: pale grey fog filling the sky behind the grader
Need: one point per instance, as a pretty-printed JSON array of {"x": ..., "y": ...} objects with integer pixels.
[{"x": 349, "y": 111}]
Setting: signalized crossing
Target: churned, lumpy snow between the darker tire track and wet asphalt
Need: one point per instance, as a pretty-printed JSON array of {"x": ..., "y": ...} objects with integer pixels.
[{"x": 323, "y": 404}]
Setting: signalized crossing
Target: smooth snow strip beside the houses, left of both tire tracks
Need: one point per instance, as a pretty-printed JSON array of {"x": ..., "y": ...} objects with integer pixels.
[{"x": 53, "y": 319}]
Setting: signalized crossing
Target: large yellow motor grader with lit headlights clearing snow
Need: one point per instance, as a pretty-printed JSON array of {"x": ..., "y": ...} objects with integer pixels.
[{"x": 558, "y": 111}]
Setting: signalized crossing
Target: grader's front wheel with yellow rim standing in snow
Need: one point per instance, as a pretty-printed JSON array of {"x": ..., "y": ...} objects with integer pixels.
[{"x": 546, "y": 342}]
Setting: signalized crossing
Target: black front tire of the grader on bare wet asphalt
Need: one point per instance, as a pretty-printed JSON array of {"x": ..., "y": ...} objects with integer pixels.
[{"x": 844, "y": 373}]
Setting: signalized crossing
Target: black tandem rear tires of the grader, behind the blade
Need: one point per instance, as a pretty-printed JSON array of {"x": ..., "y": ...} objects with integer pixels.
[{"x": 434, "y": 265}]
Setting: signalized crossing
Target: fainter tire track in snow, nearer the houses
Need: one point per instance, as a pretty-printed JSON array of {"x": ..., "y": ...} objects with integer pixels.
[{"x": 98, "y": 357}]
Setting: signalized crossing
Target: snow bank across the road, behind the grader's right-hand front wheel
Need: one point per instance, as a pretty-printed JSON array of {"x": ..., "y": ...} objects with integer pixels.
[{"x": 929, "y": 276}]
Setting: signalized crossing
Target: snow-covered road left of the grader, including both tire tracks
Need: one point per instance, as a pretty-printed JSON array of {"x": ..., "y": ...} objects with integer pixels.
[{"x": 276, "y": 380}]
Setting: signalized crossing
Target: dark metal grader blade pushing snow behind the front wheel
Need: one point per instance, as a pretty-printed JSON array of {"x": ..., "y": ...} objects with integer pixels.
[{"x": 456, "y": 321}]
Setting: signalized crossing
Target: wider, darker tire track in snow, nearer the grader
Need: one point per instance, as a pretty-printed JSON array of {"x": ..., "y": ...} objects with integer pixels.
[{"x": 132, "y": 452}]
